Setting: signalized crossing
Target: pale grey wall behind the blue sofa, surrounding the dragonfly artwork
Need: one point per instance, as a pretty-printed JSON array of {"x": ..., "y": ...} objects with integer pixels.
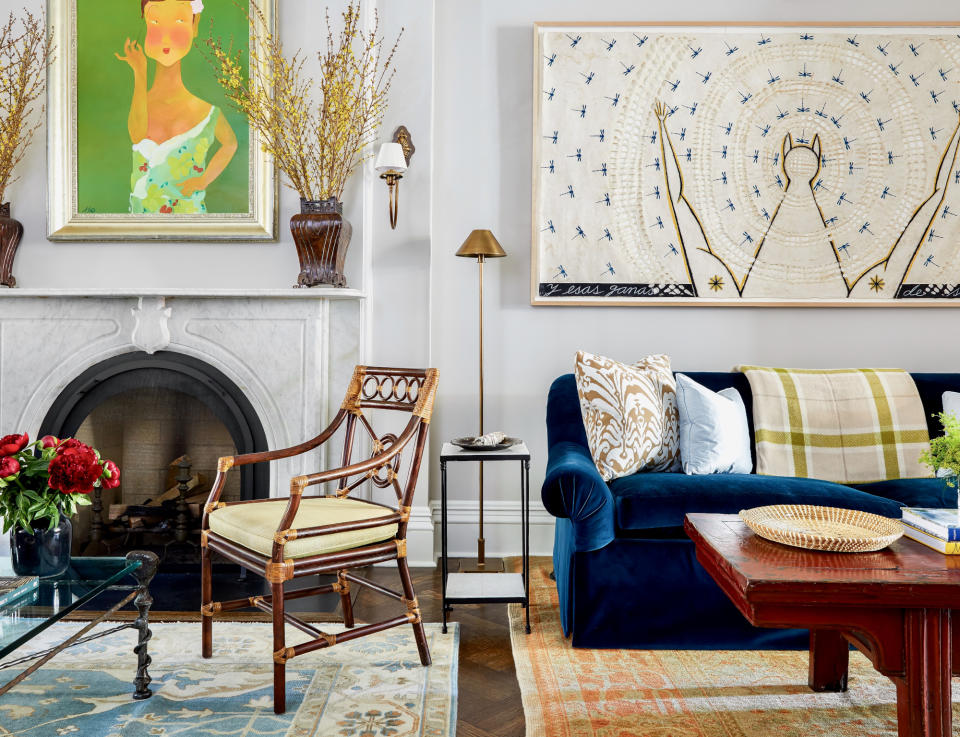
[{"x": 482, "y": 180}]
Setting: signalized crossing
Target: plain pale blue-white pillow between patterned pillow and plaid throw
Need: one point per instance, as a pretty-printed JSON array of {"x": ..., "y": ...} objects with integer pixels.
[{"x": 714, "y": 435}]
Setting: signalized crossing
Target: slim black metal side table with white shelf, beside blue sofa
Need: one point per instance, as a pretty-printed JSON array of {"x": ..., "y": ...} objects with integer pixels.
[{"x": 484, "y": 588}]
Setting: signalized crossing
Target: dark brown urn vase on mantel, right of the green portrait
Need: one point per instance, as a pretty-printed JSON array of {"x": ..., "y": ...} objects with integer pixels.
[{"x": 322, "y": 237}]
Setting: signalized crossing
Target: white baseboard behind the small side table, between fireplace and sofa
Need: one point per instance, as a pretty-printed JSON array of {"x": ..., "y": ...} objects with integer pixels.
[{"x": 501, "y": 528}]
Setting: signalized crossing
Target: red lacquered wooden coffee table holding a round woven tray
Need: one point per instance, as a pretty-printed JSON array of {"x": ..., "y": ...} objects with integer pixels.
[{"x": 895, "y": 606}]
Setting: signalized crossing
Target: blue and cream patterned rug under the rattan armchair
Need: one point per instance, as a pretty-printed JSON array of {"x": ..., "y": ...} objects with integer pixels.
[{"x": 370, "y": 687}]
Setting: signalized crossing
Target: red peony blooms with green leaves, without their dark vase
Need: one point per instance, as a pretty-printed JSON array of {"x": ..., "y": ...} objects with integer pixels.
[{"x": 39, "y": 481}]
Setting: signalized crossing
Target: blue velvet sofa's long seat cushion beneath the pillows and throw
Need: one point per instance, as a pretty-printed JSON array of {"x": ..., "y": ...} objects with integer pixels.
[{"x": 649, "y": 501}]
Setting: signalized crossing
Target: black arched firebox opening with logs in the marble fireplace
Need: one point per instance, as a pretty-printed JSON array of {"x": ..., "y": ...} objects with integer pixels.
[{"x": 150, "y": 410}]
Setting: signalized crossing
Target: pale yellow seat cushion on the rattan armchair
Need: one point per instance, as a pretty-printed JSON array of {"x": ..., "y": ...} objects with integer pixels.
[{"x": 254, "y": 525}]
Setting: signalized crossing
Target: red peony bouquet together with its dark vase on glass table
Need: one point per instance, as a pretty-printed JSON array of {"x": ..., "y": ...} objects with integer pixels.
[{"x": 42, "y": 484}]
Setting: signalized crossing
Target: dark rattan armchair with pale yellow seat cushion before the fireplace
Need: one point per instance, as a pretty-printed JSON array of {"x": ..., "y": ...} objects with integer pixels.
[{"x": 287, "y": 538}]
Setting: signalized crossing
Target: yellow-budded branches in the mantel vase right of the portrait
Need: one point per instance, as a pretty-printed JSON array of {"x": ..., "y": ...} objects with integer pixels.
[{"x": 317, "y": 144}]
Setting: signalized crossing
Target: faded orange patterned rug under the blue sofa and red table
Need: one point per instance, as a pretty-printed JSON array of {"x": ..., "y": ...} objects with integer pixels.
[{"x": 570, "y": 692}]
